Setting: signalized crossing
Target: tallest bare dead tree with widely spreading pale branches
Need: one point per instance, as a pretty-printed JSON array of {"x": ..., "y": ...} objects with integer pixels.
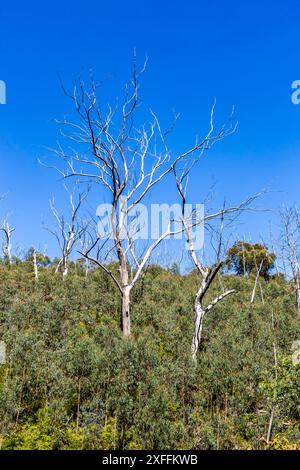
[{"x": 125, "y": 161}]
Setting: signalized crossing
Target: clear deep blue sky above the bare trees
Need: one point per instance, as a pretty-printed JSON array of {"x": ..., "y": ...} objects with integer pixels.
[{"x": 244, "y": 53}]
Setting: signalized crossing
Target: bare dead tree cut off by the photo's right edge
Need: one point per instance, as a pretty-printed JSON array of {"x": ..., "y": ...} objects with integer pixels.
[{"x": 290, "y": 225}]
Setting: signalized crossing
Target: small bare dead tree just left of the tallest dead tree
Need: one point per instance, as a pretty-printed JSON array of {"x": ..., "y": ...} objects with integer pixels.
[{"x": 68, "y": 231}]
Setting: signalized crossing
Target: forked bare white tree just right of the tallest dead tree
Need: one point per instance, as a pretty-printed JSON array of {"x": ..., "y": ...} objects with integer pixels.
[{"x": 207, "y": 274}]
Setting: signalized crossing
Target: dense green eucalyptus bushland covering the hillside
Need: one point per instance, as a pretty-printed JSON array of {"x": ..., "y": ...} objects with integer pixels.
[{"x": 72, "y": 382}]
